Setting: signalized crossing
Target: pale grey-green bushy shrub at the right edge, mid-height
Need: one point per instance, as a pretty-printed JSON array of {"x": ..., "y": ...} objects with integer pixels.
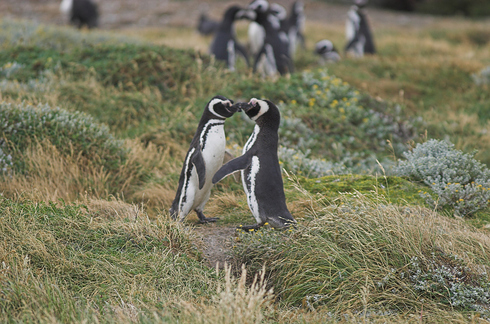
[{"x": 455, "y": 178}]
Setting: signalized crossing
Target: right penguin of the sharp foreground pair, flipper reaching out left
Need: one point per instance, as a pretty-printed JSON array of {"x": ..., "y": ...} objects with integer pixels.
[{"x": 261, "y": 173}]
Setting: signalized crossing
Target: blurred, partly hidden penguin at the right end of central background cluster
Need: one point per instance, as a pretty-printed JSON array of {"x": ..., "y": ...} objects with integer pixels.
[{"x": 294, "y": 26}]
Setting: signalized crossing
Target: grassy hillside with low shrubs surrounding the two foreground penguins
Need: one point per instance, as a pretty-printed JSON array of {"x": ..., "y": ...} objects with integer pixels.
[{"x": 94, "y": 128}]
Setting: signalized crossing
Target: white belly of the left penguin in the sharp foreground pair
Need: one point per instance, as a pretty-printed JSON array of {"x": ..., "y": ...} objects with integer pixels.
[{"x": 213, "y": 154}]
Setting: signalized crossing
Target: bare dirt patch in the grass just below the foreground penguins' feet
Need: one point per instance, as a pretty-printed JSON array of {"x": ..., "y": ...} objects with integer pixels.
[{"x": 216, "y": 243}]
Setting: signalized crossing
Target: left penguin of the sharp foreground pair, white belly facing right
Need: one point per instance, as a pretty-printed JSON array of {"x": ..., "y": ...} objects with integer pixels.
[{"x": 204, "y": 158}]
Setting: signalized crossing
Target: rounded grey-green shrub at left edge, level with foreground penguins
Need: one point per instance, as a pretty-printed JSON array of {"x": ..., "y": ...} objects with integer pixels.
[{"x": 22, "y": 124}]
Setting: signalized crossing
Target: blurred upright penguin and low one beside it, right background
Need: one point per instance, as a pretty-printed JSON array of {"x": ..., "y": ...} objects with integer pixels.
[{"x": 358, "y": 35}]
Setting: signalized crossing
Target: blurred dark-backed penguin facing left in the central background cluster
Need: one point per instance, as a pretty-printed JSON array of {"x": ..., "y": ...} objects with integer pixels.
[{"x": 275, "y": 46}]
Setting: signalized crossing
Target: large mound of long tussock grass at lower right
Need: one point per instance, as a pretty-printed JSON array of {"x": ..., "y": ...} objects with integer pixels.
[{"x": 359, "y": 256}]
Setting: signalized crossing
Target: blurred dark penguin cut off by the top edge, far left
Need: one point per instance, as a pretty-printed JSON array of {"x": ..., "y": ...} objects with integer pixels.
[{"x": 81, "y": 12}]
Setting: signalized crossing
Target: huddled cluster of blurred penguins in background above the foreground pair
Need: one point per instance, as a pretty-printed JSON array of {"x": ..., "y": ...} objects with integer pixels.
[{"x": 273, "y": 38}]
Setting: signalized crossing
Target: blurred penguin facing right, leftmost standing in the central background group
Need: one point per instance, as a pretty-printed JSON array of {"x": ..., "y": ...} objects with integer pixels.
[{"x": 224, "y": 46}]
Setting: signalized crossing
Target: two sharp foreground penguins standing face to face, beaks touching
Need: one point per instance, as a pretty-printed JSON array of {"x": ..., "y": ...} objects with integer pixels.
[{"x": 259, "y": 164}]
